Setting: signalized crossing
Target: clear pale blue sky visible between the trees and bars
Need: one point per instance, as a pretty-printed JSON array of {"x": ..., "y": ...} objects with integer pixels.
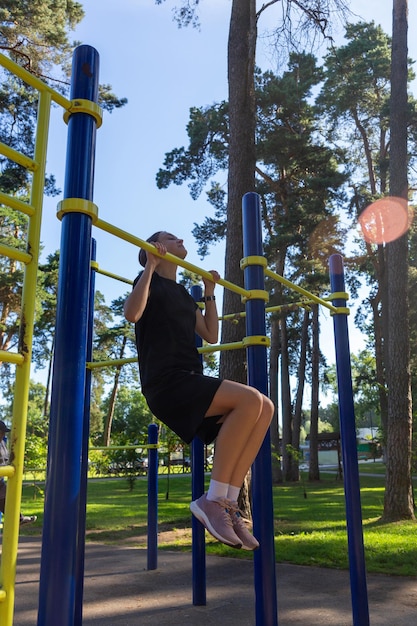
[{"x": 163, "y": 71}]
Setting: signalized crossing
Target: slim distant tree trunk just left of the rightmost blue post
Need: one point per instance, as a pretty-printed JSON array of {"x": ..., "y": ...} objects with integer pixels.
[{"x": 313, "y": 471}]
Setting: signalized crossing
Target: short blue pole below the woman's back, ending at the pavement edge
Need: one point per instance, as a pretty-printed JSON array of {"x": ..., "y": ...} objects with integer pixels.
[{"x": 152, "y": 497}]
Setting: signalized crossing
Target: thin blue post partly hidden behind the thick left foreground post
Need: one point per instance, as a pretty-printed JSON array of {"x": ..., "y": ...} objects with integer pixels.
[{"x": 79, "y": 566}]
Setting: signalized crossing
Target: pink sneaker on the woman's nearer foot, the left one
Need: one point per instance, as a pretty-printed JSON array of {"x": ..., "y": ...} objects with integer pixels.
[{"x": 215, "y": 516}]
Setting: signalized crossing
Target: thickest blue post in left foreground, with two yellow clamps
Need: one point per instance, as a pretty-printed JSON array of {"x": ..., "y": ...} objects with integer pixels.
[{"x": 60, "y": 531}]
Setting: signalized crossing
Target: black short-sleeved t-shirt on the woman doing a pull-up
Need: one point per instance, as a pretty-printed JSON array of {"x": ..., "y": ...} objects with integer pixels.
[{"x": 165, "y": 334}]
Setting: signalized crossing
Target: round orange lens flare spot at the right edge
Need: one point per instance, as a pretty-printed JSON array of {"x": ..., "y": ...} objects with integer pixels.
[{"x": 385, "y": 220}]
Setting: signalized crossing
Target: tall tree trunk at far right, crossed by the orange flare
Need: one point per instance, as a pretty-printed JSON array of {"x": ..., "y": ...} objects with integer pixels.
[{"x": 398, "y": 502}]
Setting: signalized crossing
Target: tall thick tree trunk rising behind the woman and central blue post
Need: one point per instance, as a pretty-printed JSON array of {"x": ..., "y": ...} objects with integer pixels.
[{"x": 242, "y": 161}]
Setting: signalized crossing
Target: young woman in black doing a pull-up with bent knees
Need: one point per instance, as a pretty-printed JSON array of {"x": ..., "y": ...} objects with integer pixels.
[{"x": 191, "y": 404}]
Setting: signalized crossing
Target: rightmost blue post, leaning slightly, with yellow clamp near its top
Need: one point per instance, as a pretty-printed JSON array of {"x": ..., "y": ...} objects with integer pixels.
[{"x": 356, "y": 551}]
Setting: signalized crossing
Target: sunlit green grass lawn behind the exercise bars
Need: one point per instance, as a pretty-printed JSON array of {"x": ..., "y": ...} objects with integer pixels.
[{"x": 310, "y": 526}]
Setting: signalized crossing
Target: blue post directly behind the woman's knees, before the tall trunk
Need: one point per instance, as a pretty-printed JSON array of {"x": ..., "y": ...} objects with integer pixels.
[{"x": 263, "y": 513}]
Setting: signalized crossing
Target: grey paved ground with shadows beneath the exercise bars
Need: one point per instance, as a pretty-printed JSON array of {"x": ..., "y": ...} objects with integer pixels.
[{"x": 120, "y": 592}]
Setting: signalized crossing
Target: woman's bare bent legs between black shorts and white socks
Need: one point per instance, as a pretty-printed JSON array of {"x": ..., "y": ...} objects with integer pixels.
[{"x": 247, "y": 416}]
